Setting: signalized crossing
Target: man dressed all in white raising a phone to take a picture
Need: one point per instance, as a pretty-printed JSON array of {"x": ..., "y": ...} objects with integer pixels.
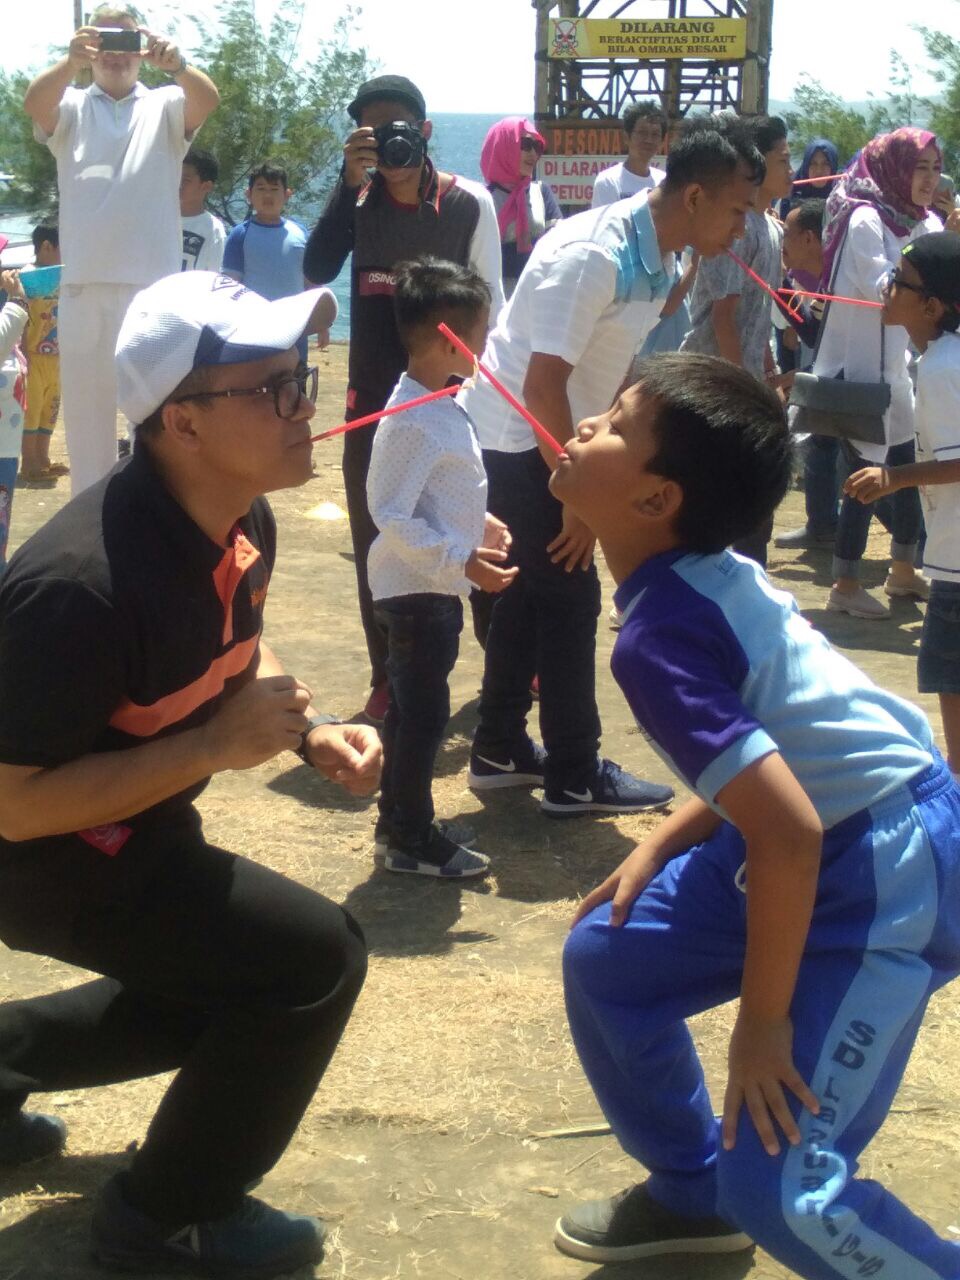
[{"x": 120, "y": 148}]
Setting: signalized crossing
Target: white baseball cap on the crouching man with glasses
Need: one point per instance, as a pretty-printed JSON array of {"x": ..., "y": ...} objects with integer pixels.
[{"x": 193, "y": 319}]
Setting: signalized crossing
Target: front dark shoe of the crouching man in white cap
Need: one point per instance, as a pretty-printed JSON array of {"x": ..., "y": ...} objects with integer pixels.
[{"x": 254, "y": 1244}]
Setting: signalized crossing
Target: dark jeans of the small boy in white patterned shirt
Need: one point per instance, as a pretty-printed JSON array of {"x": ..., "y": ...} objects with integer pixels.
[{"x": 423, "y": 638}]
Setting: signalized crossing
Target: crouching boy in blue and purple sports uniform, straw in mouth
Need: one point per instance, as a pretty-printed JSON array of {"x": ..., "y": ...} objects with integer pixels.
[{"x": 816, "y": 872}]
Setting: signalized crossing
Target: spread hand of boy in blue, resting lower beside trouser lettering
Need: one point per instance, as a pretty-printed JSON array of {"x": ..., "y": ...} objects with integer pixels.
[{"x": 761, "y": 1064}]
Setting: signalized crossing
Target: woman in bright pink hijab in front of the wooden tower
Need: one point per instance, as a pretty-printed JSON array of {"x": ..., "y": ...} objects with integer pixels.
[{"x": 525, "y": 208}]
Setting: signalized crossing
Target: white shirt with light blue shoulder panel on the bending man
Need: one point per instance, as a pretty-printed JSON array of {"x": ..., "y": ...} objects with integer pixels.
[{"x": 593, "y": 290}]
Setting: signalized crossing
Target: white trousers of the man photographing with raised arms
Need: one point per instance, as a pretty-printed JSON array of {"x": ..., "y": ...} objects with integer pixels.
[{"x": 89, "y": 323}]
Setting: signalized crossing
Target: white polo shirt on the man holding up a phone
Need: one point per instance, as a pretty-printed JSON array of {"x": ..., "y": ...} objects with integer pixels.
[{"x": 118, "y": 167}]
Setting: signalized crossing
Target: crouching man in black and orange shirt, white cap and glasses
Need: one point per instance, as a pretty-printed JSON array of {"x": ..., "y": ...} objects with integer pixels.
[{"x": 141, "y": 606}]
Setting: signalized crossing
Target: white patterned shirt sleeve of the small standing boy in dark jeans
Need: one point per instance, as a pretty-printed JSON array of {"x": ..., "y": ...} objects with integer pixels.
[{"x": 403, "y": 460}]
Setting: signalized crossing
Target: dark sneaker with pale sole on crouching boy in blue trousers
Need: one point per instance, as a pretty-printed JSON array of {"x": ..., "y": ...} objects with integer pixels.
[{"x": 633, "y": 1226}]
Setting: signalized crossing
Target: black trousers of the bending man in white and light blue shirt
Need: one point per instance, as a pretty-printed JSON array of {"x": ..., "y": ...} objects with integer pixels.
[{"x": 545, "y": 625}]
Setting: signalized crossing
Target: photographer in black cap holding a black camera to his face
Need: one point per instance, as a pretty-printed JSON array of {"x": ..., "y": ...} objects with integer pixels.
[{"x": 388, "y": 207}]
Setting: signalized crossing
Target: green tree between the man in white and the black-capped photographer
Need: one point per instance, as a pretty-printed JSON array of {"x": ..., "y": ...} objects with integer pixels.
[{"x": 277, "y": 100}]
